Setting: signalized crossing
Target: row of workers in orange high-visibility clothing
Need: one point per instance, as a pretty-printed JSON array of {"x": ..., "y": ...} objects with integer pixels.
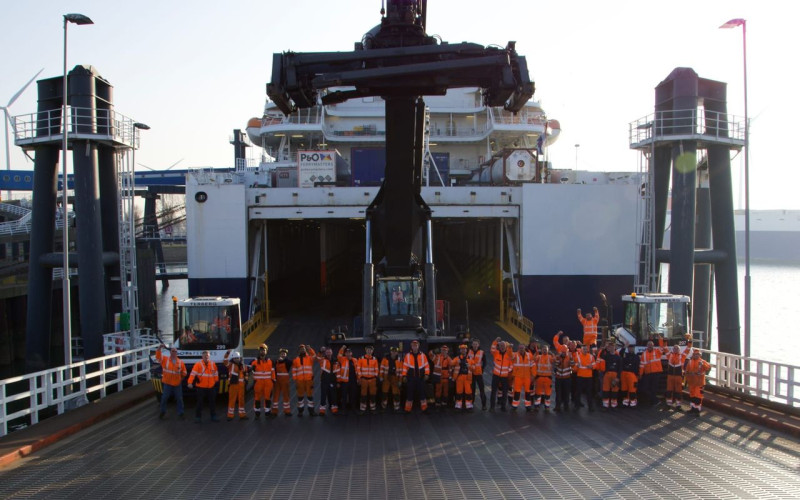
[{"x": 578, "y": 371}]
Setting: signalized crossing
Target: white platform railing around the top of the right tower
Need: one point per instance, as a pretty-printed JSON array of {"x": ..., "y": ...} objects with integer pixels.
[{"x": 700, "y": 125}]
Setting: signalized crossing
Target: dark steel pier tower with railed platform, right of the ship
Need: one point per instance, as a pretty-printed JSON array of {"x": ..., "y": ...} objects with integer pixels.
[{"x": 685, "y": 150}]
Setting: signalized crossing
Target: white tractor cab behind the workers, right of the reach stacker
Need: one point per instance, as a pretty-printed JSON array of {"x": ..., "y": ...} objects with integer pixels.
[{"x": 650, "y": 315}]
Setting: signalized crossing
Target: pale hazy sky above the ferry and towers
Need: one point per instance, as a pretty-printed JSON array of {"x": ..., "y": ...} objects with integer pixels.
[{"x": 195, "y": 71}]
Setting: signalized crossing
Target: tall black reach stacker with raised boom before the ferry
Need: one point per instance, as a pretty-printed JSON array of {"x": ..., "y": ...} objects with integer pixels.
[{"x": 399, "y": 62}]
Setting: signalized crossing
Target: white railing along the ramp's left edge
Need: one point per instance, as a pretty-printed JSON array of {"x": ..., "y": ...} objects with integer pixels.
[{"x": 27, "y": 398}]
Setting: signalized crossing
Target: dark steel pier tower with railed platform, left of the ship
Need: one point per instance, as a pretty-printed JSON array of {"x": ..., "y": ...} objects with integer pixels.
[{"x": 98, "y": 137}]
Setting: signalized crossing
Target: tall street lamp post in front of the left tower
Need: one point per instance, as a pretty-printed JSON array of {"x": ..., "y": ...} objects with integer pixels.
[{"x": 75, "y": 19}]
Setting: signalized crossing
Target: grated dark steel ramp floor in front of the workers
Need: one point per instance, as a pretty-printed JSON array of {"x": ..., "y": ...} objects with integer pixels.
[{"x": 640, "y": 453}]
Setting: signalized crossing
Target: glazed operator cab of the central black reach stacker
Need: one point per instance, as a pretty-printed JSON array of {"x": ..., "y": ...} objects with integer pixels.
[{"x": 399, "y": 303}]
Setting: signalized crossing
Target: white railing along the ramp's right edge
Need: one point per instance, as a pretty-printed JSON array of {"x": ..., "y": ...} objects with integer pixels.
[{"x": 775, "y": 382}]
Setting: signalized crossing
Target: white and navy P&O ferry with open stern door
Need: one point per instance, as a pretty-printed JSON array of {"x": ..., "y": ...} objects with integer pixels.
[{"x": 510, "y": 233}]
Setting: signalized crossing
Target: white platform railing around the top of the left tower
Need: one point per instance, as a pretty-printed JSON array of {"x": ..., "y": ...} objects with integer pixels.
[{"x": 44, "y": 126}]
